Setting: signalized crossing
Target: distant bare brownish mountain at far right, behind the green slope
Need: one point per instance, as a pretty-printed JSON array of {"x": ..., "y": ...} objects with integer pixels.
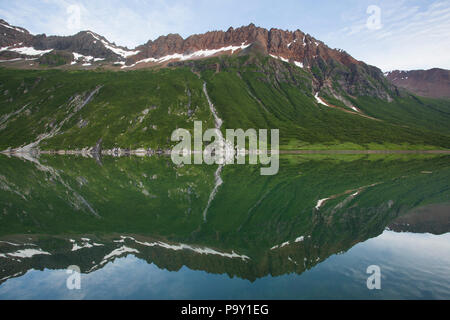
[{"x": 434, "y": 83}]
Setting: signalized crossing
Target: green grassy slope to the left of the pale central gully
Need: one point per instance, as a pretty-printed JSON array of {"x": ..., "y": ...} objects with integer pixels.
[{"x": 131, "y": 110}]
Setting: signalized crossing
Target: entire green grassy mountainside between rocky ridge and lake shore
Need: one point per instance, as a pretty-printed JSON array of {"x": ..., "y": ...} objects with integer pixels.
[{"x": 141, "y": 108}]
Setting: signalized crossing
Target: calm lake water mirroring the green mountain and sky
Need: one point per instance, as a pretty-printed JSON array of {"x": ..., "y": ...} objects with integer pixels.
[{"x": 144, "y": 228}]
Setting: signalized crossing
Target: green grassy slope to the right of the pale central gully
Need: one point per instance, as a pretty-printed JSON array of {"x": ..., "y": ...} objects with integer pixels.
[{"x": 279, "y": 95}]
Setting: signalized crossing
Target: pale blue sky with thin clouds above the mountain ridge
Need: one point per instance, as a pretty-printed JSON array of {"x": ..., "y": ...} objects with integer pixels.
[{"x": 400, "y": 34}]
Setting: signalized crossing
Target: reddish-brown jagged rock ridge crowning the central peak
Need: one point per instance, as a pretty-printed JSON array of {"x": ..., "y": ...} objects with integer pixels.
[{"x": 297, "y": 48}]
